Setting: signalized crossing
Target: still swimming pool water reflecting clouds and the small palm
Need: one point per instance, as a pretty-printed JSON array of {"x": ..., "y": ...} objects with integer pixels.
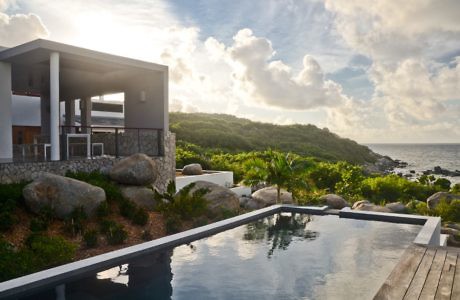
[{"x": 278, "y": 257}]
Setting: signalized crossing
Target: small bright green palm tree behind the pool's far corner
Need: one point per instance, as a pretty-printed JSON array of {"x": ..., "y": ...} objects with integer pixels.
[{"x": 275, "y": 168}]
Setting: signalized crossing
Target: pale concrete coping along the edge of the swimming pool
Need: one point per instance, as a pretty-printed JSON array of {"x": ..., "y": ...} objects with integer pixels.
[{"x": 430, "y": 234}]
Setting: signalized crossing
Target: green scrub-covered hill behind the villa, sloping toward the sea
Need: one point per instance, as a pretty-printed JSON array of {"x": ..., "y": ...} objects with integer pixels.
[{"x": 232, "y": 134}]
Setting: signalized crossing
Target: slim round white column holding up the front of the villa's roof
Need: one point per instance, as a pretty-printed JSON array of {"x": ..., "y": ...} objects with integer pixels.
[{"x": 54, "y": 106}]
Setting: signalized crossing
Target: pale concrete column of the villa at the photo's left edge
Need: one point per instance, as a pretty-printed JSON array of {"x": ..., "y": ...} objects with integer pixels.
[{"x": 6, "y": 129}]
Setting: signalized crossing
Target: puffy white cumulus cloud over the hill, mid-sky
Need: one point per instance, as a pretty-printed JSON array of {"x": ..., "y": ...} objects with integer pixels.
[{"x": 265, "y": 81}]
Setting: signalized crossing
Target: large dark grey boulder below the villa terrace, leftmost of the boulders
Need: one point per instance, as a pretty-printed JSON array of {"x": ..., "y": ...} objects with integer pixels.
[{"x": 62, "y": 195}]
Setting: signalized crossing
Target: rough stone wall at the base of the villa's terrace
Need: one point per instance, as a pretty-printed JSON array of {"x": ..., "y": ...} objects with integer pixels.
[{"x": 18, "y": 171}]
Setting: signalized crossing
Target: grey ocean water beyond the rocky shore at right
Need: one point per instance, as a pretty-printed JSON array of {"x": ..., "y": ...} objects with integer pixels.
[{"x": 422, "y": 157}]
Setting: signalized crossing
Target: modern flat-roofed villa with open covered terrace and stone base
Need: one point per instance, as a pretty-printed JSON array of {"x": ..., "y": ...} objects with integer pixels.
[{"x": 59, "y": 75}]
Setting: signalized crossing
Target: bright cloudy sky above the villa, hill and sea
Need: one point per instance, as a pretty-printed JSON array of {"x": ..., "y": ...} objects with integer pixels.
[{"x": 376, "y": 71}]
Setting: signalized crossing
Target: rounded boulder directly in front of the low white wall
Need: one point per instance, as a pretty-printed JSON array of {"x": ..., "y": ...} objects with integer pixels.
[{"x": 219, "y": 198}]
